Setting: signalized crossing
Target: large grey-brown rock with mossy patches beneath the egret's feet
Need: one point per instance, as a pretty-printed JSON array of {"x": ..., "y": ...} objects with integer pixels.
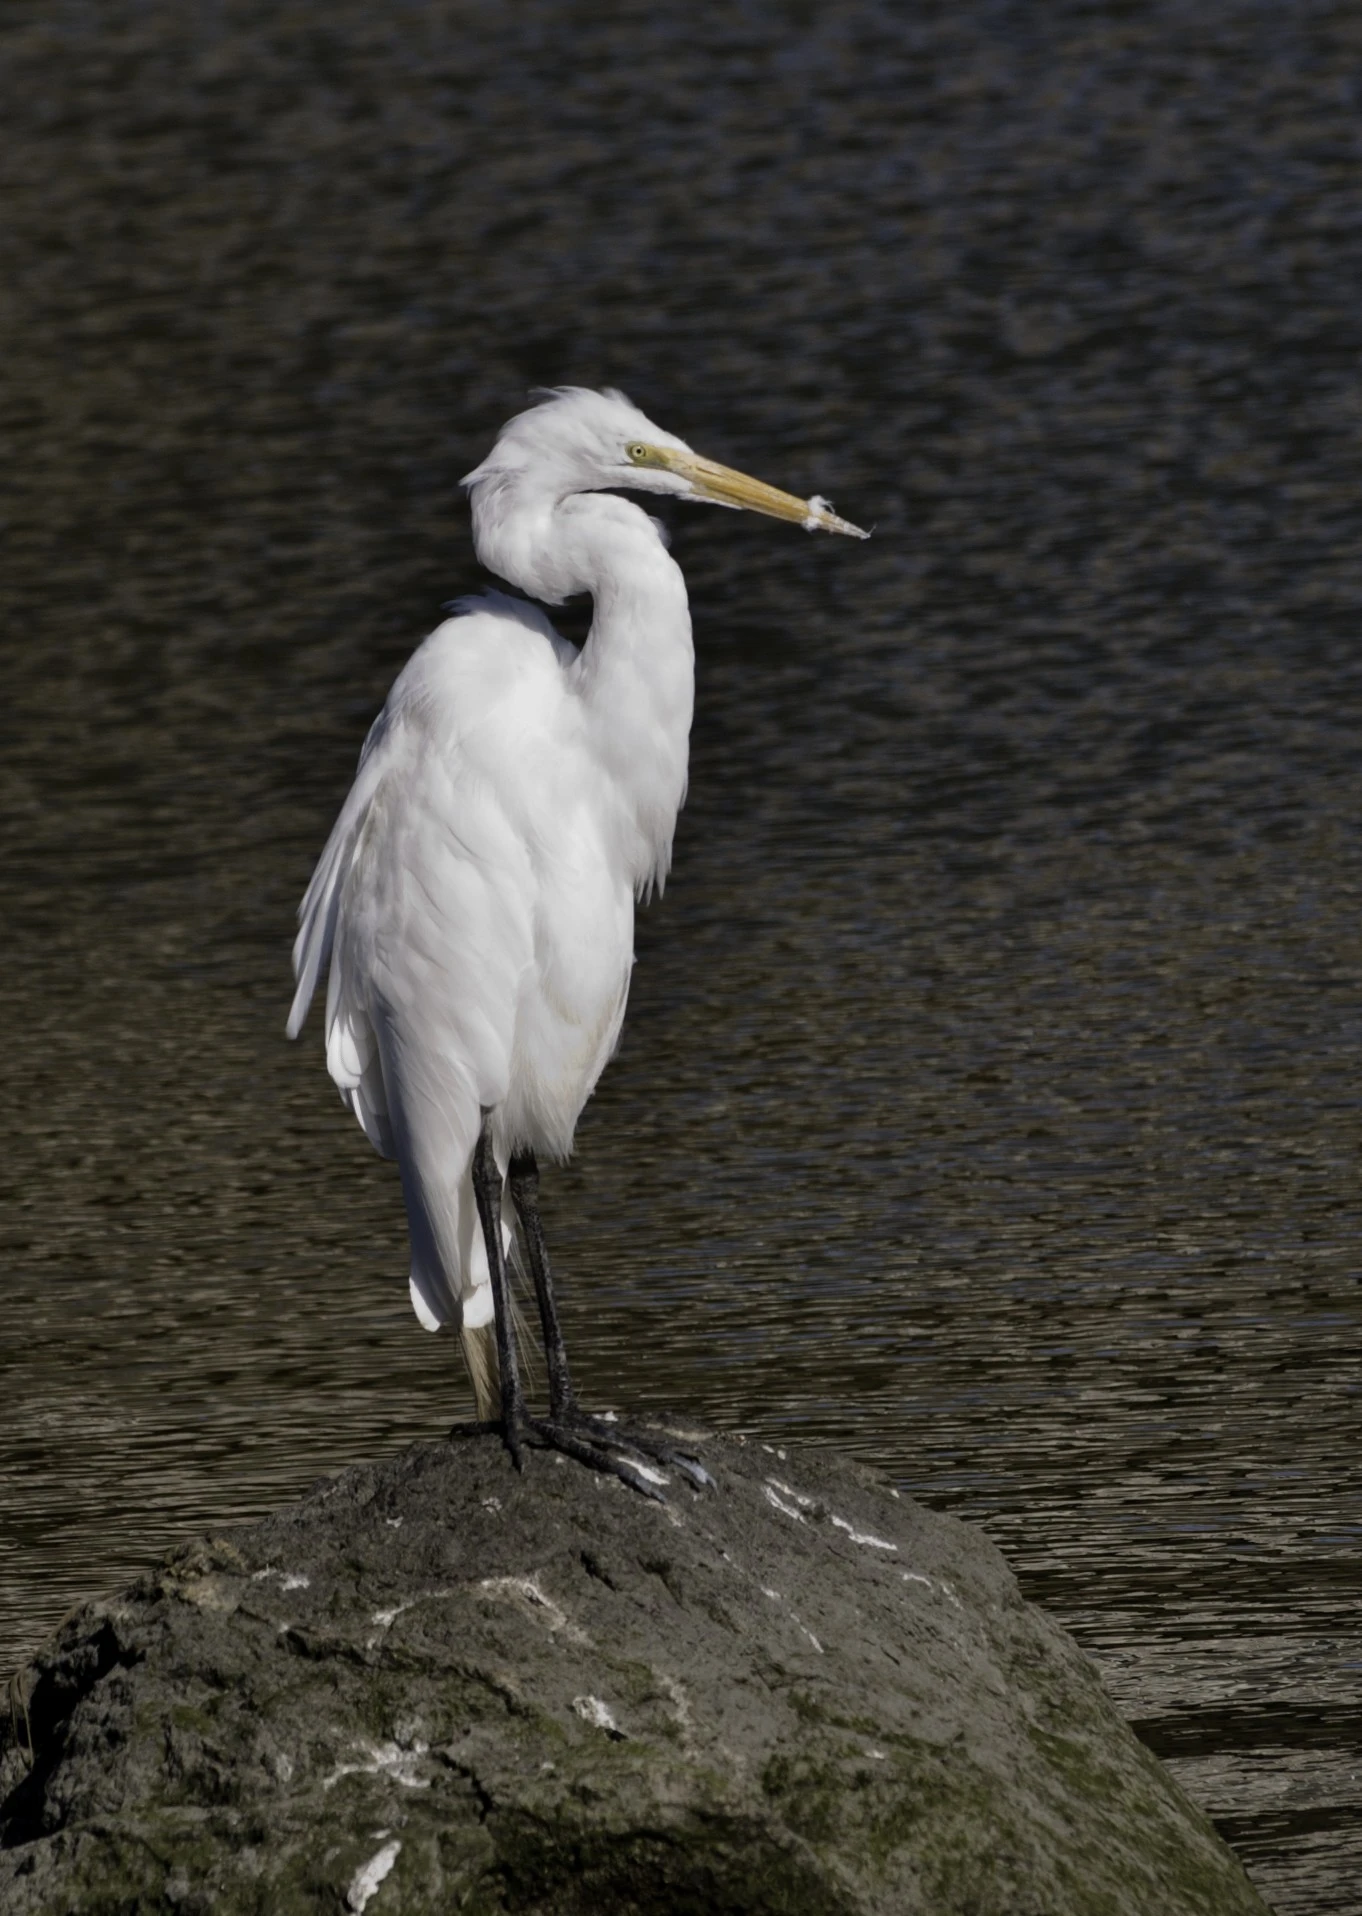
[{"x": 440, "y": 1687}]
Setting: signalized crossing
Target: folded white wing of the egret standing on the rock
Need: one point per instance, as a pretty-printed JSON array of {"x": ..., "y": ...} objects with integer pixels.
[{"x": 422, "y": 901}]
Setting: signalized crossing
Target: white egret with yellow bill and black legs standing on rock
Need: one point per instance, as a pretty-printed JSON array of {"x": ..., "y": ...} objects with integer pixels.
[{"x": 476, "y": 898}]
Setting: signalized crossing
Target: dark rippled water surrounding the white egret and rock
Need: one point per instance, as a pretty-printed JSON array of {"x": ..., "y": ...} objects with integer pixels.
[{"x": 989, "y": 1099}]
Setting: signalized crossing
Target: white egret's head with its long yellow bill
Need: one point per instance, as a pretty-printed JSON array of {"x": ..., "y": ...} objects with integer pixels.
[{"x": 581, "y": 442}]
